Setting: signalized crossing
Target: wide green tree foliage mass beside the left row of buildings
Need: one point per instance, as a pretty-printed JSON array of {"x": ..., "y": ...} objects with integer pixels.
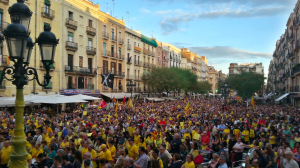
[{"x": 174, "y": 79}]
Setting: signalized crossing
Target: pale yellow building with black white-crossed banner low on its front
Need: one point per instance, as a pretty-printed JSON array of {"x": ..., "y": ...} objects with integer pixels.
[{"x": 112, "y": 51}]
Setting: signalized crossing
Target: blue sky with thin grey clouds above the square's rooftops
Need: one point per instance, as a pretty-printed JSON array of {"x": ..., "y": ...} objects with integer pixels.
[{"x": 226, "y": 31}]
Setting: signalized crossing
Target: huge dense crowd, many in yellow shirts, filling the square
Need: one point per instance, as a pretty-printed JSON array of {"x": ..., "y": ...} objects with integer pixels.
[{"x": 172, "y": 134}]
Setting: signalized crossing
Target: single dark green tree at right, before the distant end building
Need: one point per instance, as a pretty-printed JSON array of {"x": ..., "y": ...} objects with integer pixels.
[{"x": 246, "y": 83}]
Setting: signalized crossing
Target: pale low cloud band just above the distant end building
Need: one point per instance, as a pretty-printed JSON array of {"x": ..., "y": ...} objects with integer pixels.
[{"x": 218, "y": 53}]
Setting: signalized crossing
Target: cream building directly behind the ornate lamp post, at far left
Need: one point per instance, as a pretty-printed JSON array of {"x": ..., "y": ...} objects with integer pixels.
[{"x": 46, "y": 12}]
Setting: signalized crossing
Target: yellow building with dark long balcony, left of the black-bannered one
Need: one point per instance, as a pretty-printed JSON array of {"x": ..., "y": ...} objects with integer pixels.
[{"x": 79, "y": 41}]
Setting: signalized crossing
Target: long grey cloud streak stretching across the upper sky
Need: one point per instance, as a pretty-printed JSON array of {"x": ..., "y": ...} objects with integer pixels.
[{"x": 172, "y": 20}]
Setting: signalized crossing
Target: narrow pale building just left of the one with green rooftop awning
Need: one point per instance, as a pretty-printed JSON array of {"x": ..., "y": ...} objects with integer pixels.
[{"x": 133, "y": 66}]
